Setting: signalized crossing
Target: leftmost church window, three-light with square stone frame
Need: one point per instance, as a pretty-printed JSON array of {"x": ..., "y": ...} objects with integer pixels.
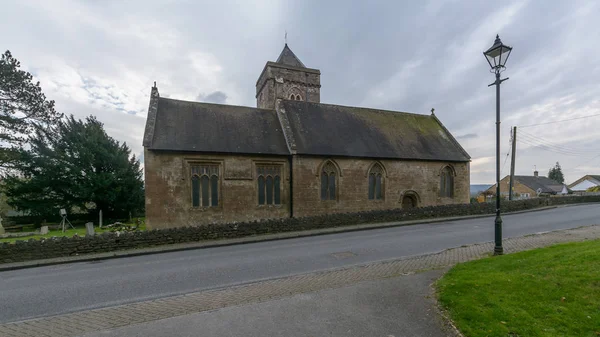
[{"x": 205, "y": 185}]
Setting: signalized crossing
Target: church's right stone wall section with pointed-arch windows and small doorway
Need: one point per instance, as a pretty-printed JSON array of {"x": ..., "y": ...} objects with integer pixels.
[{"x": 421, "y": 177}]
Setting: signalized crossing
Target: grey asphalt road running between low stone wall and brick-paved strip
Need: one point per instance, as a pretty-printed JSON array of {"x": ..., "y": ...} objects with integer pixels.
[{"x": 52, "y": 290}]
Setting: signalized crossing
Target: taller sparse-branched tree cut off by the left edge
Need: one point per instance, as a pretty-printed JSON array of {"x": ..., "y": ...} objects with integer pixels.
[{"x": 23, "y": 108}]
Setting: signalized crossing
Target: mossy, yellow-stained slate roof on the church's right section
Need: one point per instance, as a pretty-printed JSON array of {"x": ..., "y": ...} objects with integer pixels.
[{"x": 334, "y": 130}]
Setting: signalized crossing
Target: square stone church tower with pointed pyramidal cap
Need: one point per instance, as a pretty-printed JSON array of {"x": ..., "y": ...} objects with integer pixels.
[{"x": 287, "y": 78}]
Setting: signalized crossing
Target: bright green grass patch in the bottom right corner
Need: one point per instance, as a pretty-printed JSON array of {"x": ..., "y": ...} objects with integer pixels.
[{"x": 552, "y": 292}]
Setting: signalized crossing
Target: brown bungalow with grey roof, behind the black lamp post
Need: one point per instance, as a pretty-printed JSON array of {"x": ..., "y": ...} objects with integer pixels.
[{"x": 526, "y": 187}]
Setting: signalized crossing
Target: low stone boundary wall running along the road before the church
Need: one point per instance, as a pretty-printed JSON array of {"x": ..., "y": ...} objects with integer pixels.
[{"x": 59, "y": 247}]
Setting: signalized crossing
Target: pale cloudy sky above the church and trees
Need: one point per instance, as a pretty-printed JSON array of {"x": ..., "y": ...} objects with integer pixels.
[{"x": 101, "y": 58}]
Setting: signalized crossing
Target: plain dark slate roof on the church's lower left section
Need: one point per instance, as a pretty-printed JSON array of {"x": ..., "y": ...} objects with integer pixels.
[{"x": 205, "y": 127}]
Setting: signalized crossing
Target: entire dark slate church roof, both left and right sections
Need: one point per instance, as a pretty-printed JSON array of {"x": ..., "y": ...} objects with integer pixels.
[{"x": 311, "y": 128}]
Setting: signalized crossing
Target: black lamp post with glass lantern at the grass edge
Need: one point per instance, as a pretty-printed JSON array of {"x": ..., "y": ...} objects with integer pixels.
[{"x": 496, "y": 57}]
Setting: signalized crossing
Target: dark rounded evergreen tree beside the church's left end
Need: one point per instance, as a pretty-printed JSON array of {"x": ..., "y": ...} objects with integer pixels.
[{"x": 76, "y": 164}]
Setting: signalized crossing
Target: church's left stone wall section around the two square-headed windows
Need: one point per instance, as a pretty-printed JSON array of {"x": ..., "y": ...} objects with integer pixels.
[{"x": 168, "y": 190}]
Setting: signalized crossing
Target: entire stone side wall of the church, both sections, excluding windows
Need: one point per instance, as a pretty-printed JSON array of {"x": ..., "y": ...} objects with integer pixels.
[{"x": 168, "y": 187}]
